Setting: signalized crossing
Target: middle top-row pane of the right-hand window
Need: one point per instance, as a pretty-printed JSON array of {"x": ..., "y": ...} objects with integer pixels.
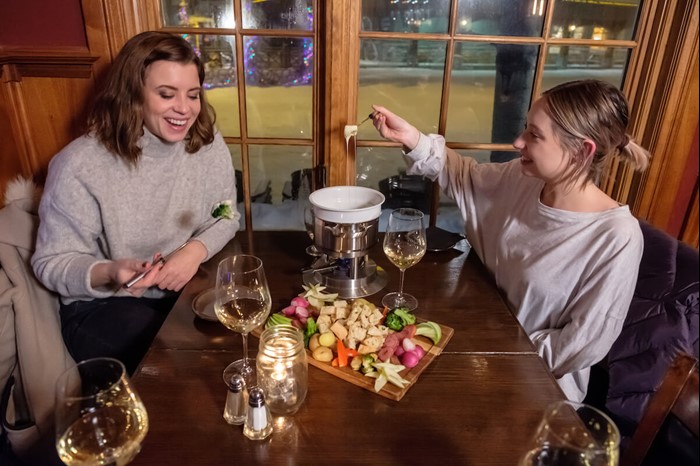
[{"x": 501, "y": 17}]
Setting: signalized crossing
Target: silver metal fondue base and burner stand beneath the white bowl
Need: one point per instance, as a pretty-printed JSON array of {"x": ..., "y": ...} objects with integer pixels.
[{"x": 345, "y": 267}]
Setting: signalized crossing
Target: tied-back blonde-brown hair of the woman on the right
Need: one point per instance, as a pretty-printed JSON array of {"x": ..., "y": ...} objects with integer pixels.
[{"x": 598, "y": 111}]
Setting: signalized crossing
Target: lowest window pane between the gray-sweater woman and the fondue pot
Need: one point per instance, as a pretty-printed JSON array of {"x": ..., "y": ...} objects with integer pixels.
[{"x": 272, "y": 184}]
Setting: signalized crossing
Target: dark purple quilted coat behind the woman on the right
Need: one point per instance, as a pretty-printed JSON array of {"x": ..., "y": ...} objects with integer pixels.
[{"x": 662, "y": 321}]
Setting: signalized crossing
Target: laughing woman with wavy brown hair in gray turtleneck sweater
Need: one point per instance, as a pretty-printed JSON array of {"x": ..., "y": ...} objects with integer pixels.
[{"x": 140, "y": 183}]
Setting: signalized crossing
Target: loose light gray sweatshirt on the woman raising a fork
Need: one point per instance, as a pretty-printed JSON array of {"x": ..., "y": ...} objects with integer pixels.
[{"x": 567, "y": 276}]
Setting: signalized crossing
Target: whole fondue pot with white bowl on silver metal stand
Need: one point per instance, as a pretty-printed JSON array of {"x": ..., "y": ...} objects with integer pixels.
[{"x": 346, "y": 223}]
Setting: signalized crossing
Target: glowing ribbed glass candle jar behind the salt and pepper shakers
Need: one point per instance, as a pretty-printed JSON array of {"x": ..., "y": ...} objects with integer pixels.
[{"x": 282, "y": 368}]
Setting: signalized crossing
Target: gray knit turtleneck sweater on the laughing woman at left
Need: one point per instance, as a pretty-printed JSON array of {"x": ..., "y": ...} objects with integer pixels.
[{"x": 97, "y": 208}]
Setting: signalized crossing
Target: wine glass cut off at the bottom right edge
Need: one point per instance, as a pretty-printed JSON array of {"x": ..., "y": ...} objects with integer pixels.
[{"x": 574, "y": 434}]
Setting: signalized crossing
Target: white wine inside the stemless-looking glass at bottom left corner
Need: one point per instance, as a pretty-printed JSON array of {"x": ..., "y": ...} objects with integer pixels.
[{"x": 107, "y": 435}]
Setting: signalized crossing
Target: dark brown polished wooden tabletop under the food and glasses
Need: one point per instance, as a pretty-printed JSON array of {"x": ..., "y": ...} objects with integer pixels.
[{"x": 478, "y": 403}]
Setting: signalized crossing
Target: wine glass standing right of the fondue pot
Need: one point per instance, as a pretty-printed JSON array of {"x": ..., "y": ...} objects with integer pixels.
[{"x": 404, "y": 245}]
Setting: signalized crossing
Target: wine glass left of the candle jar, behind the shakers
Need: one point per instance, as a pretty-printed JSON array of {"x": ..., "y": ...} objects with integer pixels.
[{"x": 242, "y": 303}]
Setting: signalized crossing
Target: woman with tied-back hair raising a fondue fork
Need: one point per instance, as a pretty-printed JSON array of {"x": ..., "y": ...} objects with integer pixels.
[{"x": 564, "y": 254}]
